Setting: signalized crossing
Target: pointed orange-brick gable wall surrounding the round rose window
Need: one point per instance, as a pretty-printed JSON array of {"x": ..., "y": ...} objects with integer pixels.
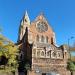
[{"x": 41, "y": 27}]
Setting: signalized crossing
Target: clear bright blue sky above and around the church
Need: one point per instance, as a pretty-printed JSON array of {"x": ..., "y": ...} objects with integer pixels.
[{"x": 59, "y": 13}]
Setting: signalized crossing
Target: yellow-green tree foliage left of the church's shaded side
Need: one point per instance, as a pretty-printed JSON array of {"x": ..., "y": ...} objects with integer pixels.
[{"x": 10, "y": 51}]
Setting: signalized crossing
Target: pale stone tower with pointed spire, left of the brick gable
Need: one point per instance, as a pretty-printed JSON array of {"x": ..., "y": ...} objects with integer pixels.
[{"x": 25, "y": 22}]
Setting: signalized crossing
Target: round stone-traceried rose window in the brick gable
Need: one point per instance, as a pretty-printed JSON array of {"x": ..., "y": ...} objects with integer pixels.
[{"x": 41, "y": 26}]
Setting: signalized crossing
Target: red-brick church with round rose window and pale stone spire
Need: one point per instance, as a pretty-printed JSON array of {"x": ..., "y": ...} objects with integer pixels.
[{"x": 38, "y": 47}]
